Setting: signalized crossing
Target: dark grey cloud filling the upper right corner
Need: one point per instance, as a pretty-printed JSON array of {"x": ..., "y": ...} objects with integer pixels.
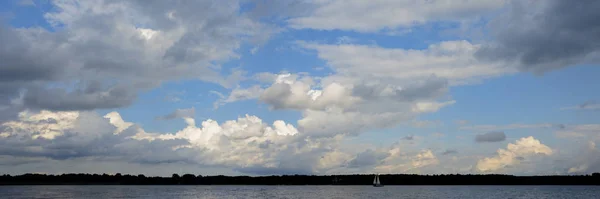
[{"x": 545, "y": 35}]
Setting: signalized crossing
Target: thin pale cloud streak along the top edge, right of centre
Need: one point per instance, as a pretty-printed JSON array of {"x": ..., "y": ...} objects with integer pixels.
[{"x": 386, "y": 14}]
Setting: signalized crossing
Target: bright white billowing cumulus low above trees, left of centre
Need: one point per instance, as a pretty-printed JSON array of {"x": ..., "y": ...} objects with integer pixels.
[{"x": 247, "y": 145}]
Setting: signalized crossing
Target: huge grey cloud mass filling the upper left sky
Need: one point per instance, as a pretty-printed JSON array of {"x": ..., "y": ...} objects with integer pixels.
[{"x": 101, "y": 54}]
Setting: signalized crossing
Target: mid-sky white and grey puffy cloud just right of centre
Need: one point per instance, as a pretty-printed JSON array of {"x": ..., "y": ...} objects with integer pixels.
[{"x": 337, "y": 105}]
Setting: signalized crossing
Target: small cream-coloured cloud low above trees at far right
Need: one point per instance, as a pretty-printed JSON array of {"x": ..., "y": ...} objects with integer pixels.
[{"x": 522, "y": 148}]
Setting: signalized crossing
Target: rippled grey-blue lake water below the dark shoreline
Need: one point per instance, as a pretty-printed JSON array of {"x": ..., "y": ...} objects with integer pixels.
[{"x": 462, "y": 192}]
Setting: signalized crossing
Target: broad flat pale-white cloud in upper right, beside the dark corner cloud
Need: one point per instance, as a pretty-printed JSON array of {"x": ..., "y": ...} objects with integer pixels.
[{"x": 452, "y": 60}]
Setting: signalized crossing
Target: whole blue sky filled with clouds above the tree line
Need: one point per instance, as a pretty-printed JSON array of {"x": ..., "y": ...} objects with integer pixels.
[{"x": 265, "y": 87}]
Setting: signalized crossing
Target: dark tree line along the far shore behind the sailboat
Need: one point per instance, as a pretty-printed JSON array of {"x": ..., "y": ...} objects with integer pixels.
[{"x": 356, "y": 179}]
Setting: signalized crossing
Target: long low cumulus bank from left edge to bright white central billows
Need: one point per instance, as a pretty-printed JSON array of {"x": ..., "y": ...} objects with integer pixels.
[{"x": 247, "y": 145}]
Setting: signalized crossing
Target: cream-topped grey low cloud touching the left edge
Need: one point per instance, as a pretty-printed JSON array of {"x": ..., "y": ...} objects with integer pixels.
[{"x": 72, "y": 135}]
